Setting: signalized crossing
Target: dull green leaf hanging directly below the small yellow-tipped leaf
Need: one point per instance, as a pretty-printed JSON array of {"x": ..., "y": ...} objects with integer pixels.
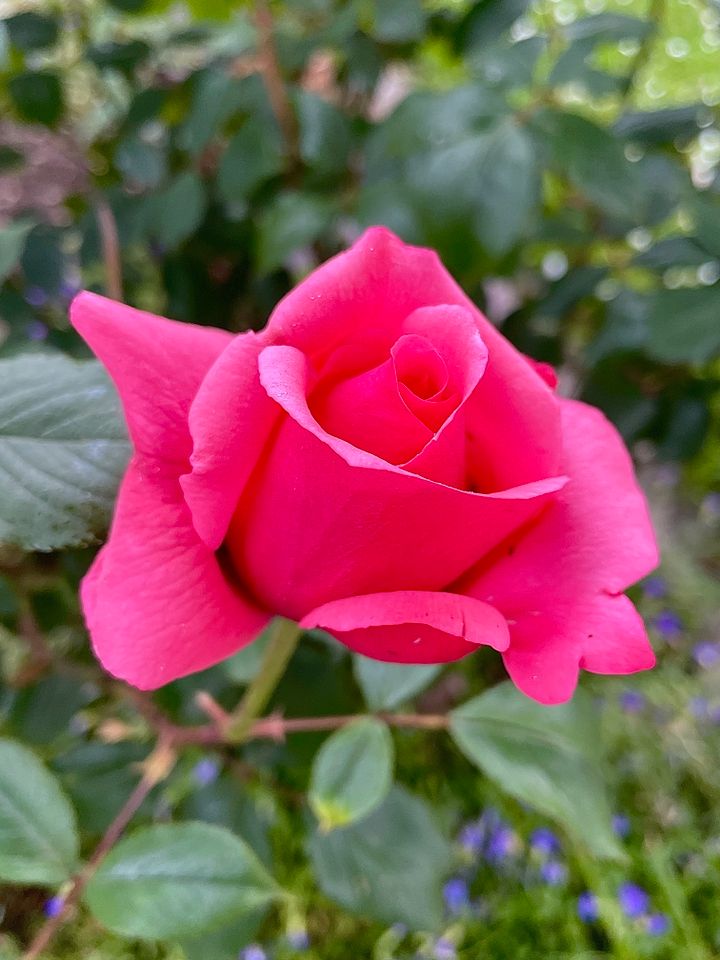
[{"x": 389, "y": 866}]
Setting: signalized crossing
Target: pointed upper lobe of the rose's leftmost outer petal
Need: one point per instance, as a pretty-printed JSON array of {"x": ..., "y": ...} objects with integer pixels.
[{"x": 157, "y": 366}]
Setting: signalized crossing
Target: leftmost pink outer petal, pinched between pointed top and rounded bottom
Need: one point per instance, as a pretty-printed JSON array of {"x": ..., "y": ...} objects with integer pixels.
[{"x": 155, "y": 600}]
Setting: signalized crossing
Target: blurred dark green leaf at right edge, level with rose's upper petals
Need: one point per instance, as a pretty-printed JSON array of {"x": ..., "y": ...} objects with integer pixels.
[{"x": 684, "y": 325}]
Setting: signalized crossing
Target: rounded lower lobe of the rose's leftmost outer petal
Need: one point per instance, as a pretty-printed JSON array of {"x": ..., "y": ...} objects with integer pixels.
[{"x": 156, "y": 602}]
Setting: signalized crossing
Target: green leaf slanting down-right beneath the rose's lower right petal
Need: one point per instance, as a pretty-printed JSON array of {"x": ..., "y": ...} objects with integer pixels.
[{"x": 544, "y": 756}]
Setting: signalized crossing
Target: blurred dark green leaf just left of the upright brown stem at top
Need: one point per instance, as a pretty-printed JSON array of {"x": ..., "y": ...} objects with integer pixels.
[{"x": 254, "y": 155}]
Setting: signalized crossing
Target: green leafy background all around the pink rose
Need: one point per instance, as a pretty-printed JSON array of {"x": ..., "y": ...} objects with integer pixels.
[{"x": 198, "y": 159}]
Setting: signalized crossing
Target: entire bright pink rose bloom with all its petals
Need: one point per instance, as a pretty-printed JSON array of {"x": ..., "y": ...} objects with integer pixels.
[{"x": 379, "y": 462}]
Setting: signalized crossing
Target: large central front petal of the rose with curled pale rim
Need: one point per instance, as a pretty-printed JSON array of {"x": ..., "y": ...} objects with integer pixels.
[{"x": 324, "y": 520}]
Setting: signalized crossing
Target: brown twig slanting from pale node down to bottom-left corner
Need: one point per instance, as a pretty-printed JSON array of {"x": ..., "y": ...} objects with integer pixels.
[{"x": 156, "y": 768}]
